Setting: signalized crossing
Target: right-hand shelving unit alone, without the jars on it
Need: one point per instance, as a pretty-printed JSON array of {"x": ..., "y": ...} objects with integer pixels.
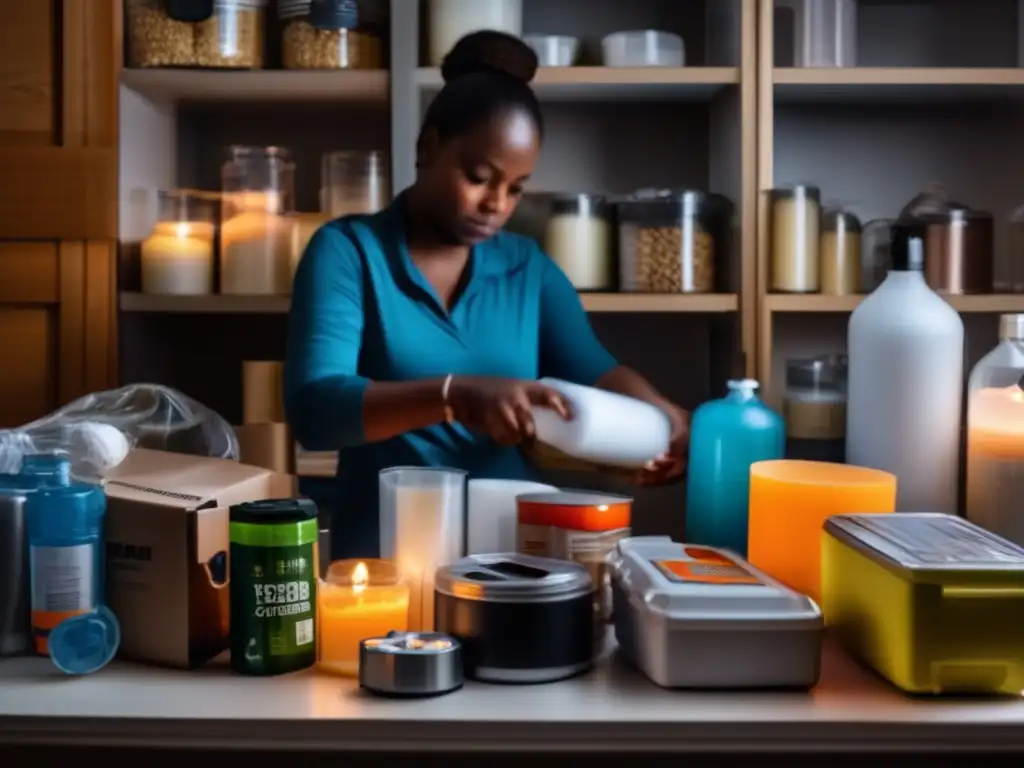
[{"x": 938, "y": 99}]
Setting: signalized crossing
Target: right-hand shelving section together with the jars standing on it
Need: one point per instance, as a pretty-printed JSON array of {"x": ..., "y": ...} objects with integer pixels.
[{"x": 870, "y": 114}]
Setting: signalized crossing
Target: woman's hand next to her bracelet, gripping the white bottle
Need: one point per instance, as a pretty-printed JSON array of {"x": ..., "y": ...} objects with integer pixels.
[{"x": 502, "y": 408}]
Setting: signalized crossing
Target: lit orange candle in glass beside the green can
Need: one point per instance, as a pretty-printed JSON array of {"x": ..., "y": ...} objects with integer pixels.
[{"x": 359, "y": 600}]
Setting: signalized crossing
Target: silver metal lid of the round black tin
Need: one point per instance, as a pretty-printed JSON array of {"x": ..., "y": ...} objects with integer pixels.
[{"x": 514, "y": 578}]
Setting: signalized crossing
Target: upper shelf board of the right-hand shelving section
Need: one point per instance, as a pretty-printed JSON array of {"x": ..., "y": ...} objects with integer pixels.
[{"x": 897, "y": 84}]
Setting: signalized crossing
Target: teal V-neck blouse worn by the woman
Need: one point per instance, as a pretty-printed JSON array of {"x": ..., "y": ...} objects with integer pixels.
[{"x": 363, "y": 312}]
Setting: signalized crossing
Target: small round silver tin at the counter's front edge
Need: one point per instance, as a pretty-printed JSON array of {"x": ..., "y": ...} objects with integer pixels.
[{"x": 411, "y": 665}]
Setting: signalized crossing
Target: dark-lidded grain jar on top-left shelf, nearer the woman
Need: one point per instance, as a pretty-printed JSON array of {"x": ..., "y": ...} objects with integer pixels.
[{"x": 330, "y": 35}]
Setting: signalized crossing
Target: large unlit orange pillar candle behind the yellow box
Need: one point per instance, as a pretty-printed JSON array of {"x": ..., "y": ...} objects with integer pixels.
[{"x": 790, "y": 503}]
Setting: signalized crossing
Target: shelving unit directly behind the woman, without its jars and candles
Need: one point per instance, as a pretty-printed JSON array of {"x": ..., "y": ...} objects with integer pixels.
[{"x": 609, "y": 132}]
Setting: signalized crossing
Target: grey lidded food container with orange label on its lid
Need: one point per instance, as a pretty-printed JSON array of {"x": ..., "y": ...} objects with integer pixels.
[{"x": 692, "y": 617}]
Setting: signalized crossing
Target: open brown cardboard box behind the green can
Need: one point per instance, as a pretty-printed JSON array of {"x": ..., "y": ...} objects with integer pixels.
[{"x": 167, "y": 545}]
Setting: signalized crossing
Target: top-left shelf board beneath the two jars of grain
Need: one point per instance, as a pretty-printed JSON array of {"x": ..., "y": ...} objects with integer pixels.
[{"x": 265, "y": 86}]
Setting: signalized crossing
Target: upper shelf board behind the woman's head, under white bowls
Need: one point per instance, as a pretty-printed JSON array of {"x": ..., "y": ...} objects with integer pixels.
[{"x": 618, "y": 84}]
